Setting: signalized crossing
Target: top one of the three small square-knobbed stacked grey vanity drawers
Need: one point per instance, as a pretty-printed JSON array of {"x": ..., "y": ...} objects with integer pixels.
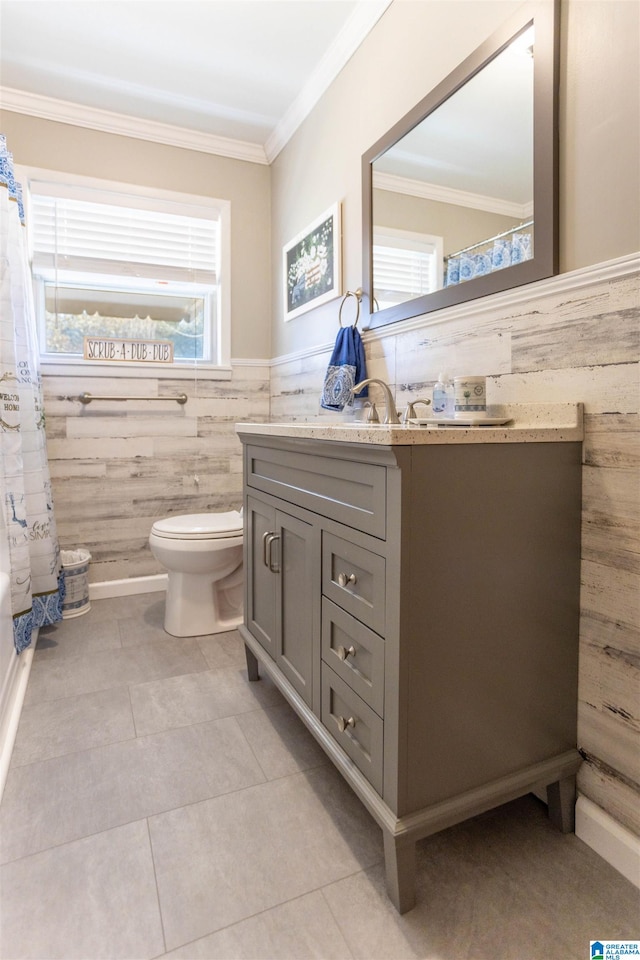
[{"x": 354, "y": 578}]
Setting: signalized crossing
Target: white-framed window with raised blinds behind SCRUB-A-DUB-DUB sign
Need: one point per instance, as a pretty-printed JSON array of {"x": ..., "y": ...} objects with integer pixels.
[{"x": 108, "y": 262}]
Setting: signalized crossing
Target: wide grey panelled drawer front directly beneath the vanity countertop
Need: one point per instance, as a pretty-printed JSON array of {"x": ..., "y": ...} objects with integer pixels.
[{"x": 344, "y": 490}]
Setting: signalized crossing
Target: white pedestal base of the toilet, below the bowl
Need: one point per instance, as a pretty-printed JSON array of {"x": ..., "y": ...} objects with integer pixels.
[{"x": 196, "y": 607}]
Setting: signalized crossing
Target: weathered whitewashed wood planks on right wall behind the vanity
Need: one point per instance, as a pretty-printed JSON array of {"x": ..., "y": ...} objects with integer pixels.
[{"x": 571, "y": 338}]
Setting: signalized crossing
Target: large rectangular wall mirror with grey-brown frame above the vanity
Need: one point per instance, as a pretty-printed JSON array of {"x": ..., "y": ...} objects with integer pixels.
[{"x": 460, "y": 197}]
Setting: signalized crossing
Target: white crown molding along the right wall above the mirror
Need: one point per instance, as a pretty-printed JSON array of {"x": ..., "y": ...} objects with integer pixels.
[{"x": 364, "y": 17}]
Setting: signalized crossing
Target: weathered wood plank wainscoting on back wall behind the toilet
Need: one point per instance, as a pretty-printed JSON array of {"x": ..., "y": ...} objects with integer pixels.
[{"x": 116, "y": 467}]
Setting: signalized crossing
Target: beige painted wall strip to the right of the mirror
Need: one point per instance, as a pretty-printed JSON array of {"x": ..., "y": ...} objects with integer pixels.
[{"x": 599, "y": 131}]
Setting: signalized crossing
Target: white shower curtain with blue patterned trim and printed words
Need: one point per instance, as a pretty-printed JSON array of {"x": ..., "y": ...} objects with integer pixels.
[{"x": 37, "y": 586}]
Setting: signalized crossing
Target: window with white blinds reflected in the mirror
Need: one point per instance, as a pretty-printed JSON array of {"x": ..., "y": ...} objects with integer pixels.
[{"x": 405, "y": 265}]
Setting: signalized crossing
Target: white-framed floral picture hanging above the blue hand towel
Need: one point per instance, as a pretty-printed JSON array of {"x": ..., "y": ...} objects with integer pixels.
[{"x": 312, "y": 265}]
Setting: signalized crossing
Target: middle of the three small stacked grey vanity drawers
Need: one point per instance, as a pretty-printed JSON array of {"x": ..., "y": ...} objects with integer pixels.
[{"x": 355, "y": 653}]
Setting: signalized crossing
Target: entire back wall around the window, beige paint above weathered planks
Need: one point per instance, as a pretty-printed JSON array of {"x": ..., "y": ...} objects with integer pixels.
[{"x": 115, "y": 471}]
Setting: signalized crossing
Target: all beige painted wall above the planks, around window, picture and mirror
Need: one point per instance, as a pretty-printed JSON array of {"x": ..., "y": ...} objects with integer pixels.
[{"x": 401, "y": 60}]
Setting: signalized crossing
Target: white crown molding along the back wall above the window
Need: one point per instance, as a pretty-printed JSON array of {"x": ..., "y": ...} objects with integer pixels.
[{"x": 94, "y": 118}]
